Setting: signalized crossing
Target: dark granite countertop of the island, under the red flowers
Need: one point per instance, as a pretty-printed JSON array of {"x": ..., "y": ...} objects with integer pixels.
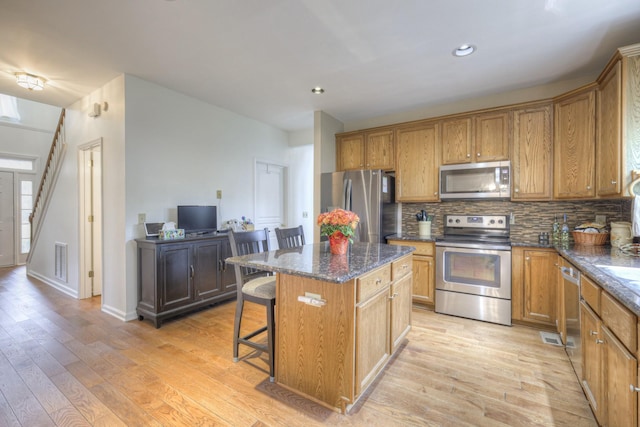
[{"x": 315, "y": 260}]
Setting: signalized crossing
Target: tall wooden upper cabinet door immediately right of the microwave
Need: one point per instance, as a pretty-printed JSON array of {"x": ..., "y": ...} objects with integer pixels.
[{"x": 532, "y": 160}]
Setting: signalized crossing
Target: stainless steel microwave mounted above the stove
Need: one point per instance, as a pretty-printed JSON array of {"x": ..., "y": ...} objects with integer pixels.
[{"x": 491, "y": 180}]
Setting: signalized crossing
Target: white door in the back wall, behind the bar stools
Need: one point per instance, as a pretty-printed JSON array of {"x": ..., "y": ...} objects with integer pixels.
[{"x": 270, "y": 198}]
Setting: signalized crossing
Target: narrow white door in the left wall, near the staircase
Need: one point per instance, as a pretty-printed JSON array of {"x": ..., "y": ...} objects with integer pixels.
[{"x": 90, "y": 163}]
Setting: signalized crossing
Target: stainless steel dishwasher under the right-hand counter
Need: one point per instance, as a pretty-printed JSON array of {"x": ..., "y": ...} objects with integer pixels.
[{"x": 571, "y": 289}]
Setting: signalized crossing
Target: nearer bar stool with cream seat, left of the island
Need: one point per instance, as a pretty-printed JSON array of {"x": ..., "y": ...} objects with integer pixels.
[{"x": 257, "y": 286}]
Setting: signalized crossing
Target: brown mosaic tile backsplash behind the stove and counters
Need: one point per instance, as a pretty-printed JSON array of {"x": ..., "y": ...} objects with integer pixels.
[{"x": 531, "y": 218}]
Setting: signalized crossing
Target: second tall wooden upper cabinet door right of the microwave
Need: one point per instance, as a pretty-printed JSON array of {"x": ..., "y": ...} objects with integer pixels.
[{"x": 574, "y": 145}]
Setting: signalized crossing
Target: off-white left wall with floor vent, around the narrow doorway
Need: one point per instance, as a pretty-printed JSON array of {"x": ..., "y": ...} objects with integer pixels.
[{"x": 61, "y": 222}]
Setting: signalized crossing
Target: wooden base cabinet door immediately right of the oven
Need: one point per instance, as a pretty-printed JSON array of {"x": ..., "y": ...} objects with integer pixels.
[{"x": 540, "y": 284}]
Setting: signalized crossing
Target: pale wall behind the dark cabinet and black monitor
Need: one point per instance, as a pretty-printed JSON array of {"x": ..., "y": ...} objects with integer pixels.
[{"x": 180, "y": 151}]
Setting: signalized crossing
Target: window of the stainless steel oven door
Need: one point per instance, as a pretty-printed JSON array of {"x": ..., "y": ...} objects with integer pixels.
[{"x": 472, "y": 269}]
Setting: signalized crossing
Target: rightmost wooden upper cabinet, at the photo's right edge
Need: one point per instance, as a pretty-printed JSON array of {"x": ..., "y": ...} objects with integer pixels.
[{"x": 618, "y": 120}]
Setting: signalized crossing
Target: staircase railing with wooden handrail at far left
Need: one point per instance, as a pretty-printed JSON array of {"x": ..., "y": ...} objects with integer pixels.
[{"x": 49, "y": 176}]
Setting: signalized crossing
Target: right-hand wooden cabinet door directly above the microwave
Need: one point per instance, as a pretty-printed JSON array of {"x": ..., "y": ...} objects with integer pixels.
[{"x": 491, "y": 133}]
